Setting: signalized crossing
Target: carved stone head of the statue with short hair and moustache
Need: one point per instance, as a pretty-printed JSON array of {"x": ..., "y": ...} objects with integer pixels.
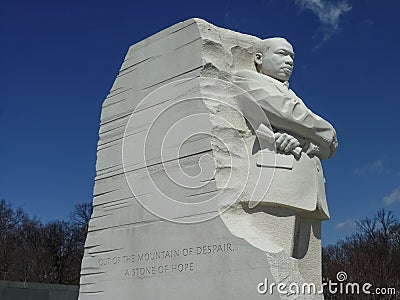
[{"x": 275, "y": 57}]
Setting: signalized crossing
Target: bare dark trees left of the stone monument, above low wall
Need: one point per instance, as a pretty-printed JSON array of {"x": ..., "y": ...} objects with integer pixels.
[{"x": 36, "y": 252}]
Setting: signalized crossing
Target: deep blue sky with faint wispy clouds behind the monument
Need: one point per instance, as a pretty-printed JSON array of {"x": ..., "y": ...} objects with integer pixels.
[{"x": 59, "y": 59}]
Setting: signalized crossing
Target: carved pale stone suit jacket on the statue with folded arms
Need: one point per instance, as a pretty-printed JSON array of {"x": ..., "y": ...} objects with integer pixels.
[{"x": 298, "y": 181}]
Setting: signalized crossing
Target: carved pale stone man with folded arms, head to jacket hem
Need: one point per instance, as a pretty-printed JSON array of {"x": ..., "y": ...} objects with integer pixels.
[{"x": 302, "y": 138}]
